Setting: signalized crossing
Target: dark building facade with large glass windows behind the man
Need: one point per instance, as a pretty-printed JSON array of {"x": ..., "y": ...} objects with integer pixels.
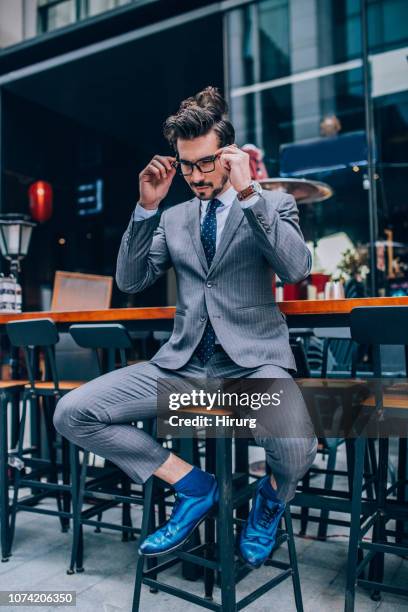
[{"x": 86, "y": 84}]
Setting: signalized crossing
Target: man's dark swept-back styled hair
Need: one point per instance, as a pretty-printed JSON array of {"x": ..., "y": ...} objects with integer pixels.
[{"x": 199, "y": 114}]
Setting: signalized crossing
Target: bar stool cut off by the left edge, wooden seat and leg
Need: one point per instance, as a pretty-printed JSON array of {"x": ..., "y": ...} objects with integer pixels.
[{"x": 10, "y": 393}]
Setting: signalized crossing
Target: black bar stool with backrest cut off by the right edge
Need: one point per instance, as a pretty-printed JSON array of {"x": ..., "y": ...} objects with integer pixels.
[{"x": 375, "y": 326}]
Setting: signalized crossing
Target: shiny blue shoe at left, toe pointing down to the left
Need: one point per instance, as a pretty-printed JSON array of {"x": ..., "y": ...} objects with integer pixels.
[{"x": 188, "y": 512}]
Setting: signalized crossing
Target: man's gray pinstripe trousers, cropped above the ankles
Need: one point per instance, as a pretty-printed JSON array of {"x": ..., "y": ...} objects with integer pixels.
[{"x": 98, "y": 416}]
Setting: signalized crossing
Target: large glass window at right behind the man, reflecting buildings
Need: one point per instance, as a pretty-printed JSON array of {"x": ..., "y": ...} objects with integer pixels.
[{"x": 293, "y": 66}]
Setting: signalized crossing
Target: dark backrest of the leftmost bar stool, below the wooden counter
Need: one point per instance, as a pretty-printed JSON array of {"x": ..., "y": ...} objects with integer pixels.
[{"x": 31, "y": 335}]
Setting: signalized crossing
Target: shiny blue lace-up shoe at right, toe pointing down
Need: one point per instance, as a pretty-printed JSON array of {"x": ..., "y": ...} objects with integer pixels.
[{"x": 258, "y": 537}]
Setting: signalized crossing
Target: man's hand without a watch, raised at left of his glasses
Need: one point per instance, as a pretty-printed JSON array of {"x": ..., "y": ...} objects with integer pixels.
[{"x": 155, "y": 181}]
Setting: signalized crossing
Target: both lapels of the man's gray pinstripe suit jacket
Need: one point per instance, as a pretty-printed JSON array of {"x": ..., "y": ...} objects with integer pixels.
[{"x": 232, "y": 223}]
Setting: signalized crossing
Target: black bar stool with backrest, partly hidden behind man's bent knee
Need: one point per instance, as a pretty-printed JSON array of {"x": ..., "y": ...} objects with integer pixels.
[{"x": 106, "y": 488}]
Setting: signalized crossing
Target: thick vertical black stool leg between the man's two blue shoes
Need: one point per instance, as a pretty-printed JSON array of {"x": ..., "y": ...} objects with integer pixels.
[{"x": 225, "y": 535}]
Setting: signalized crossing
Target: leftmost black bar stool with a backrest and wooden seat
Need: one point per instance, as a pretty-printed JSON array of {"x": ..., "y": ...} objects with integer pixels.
[{"x": 32, "y": 335}]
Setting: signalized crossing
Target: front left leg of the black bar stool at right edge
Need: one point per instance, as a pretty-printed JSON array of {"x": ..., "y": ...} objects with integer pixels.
[{"x": 357, "y": 483}]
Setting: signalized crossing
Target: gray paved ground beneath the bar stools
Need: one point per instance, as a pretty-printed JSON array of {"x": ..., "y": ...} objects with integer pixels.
[{"x": 41, "y": 554}]
